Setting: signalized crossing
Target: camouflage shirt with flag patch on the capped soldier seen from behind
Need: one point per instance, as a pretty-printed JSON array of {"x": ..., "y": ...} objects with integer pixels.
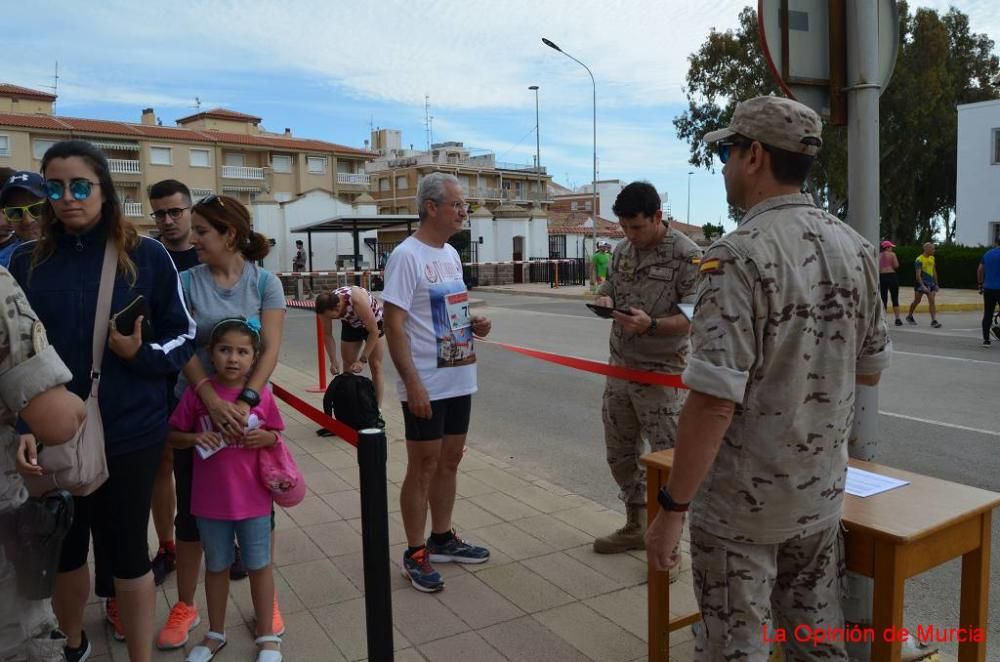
[{"x": 787, "y": 314}]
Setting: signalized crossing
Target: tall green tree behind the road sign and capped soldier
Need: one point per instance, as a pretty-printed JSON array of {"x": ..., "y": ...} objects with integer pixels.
[{"x": 941, "y": 64}]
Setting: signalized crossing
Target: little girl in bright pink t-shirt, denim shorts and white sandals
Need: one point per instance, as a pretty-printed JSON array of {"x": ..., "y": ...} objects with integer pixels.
[{"x": 228, "y": 497}]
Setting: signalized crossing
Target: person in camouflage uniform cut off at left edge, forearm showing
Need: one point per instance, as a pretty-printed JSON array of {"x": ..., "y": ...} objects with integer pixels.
[{"x": 31, "y": 374}]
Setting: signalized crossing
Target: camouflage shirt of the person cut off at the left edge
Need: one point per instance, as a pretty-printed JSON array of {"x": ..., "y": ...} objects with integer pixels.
[{"x": 28, "y": 366}]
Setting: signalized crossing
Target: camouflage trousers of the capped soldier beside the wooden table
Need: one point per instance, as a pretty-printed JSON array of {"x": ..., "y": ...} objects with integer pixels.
[{"x": 792, "y": 588}]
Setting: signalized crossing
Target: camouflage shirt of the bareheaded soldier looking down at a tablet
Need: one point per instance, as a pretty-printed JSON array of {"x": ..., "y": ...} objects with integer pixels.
[{"x": 654, "y": 281}]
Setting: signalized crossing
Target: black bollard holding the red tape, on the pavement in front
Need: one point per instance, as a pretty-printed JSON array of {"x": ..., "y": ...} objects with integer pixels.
[{"x": 372, "y": 458}]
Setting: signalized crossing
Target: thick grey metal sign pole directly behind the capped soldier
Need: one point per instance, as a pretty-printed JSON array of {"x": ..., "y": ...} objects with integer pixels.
[{"x": 863, "y": 215}]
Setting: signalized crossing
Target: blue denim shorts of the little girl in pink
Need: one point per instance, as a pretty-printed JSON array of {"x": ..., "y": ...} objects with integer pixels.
[{"x": 254, "y": 536}]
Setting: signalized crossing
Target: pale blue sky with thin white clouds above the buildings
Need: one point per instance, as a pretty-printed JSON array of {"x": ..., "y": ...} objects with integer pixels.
[{"x": 329, "y": 70}]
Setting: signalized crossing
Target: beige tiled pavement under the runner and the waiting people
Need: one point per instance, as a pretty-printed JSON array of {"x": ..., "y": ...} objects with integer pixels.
[{"x": 544, "y": 595}]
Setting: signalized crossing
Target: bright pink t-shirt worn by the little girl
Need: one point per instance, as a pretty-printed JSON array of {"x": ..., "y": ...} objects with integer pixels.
[{"x": 226, "y": 485}]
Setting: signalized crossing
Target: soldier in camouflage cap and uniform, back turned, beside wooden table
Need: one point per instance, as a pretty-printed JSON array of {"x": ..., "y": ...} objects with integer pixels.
[{"x": 788, "y": 320}]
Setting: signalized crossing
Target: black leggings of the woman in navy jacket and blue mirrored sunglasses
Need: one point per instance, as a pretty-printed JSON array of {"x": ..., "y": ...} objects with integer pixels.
[{"x": 117, "y": 515}]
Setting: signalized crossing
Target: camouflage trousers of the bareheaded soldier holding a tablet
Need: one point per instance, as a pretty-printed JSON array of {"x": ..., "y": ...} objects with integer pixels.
[{"x": 633, "y": 413}]
